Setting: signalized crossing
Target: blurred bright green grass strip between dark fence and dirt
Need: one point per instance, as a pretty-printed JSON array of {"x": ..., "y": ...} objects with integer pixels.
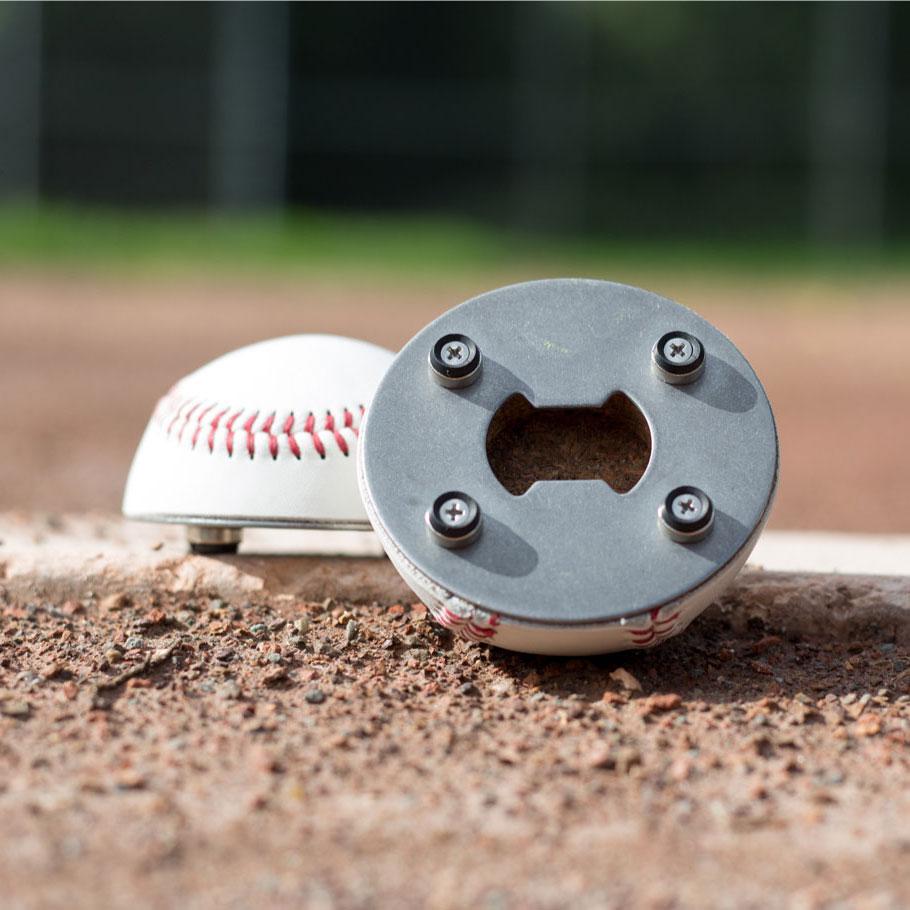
[{"x": 404, "y": 247}]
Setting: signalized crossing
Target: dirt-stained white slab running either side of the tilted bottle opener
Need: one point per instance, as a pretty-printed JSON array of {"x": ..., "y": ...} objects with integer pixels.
[{"x": 84, "y": 557}]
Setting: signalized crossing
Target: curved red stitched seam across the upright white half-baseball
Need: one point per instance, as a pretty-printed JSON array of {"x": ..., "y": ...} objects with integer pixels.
[{"x": 185, "y": 415}]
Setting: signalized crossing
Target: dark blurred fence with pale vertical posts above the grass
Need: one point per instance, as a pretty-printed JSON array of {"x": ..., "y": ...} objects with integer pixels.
[{"x": 624, "y": 119}]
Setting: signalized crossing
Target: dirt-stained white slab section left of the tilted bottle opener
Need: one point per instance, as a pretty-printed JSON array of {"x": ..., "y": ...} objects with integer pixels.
[{"x": 75, "y": 556}]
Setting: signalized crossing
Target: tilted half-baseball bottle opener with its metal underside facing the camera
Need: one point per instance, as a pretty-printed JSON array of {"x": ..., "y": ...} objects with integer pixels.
[{"x": 539, "y": 560}]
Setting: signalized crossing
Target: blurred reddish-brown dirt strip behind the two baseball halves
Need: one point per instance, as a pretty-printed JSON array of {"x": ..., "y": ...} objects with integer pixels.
[{"x": 84, "y": 358}]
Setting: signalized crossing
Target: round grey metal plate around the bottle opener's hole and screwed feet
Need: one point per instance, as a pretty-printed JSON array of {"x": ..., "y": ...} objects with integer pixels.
[{"x": 570, "y": 552}]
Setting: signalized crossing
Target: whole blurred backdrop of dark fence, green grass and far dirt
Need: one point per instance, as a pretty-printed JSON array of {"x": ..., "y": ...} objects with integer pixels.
[{"x": 179, "y": 180}]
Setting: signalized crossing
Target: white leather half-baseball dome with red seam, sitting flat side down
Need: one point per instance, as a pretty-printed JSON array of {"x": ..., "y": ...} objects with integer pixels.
[{"x": 263, "y": 436}]
